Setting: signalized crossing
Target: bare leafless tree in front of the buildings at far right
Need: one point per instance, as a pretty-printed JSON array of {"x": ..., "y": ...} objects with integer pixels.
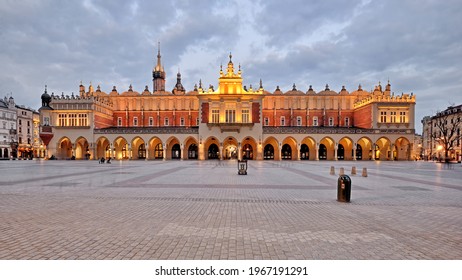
[{"x": 447, "y": 129}]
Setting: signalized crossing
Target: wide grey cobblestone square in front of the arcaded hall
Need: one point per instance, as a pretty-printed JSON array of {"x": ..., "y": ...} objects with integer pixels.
[{"x": 204, "y": 210}]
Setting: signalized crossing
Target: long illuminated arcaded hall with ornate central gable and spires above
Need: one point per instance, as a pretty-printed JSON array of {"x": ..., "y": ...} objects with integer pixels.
[{"x": 229, "y": 122}]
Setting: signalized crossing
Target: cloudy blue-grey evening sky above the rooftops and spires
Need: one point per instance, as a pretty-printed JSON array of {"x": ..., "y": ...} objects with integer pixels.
[{"x": 417, "y": 45}]
